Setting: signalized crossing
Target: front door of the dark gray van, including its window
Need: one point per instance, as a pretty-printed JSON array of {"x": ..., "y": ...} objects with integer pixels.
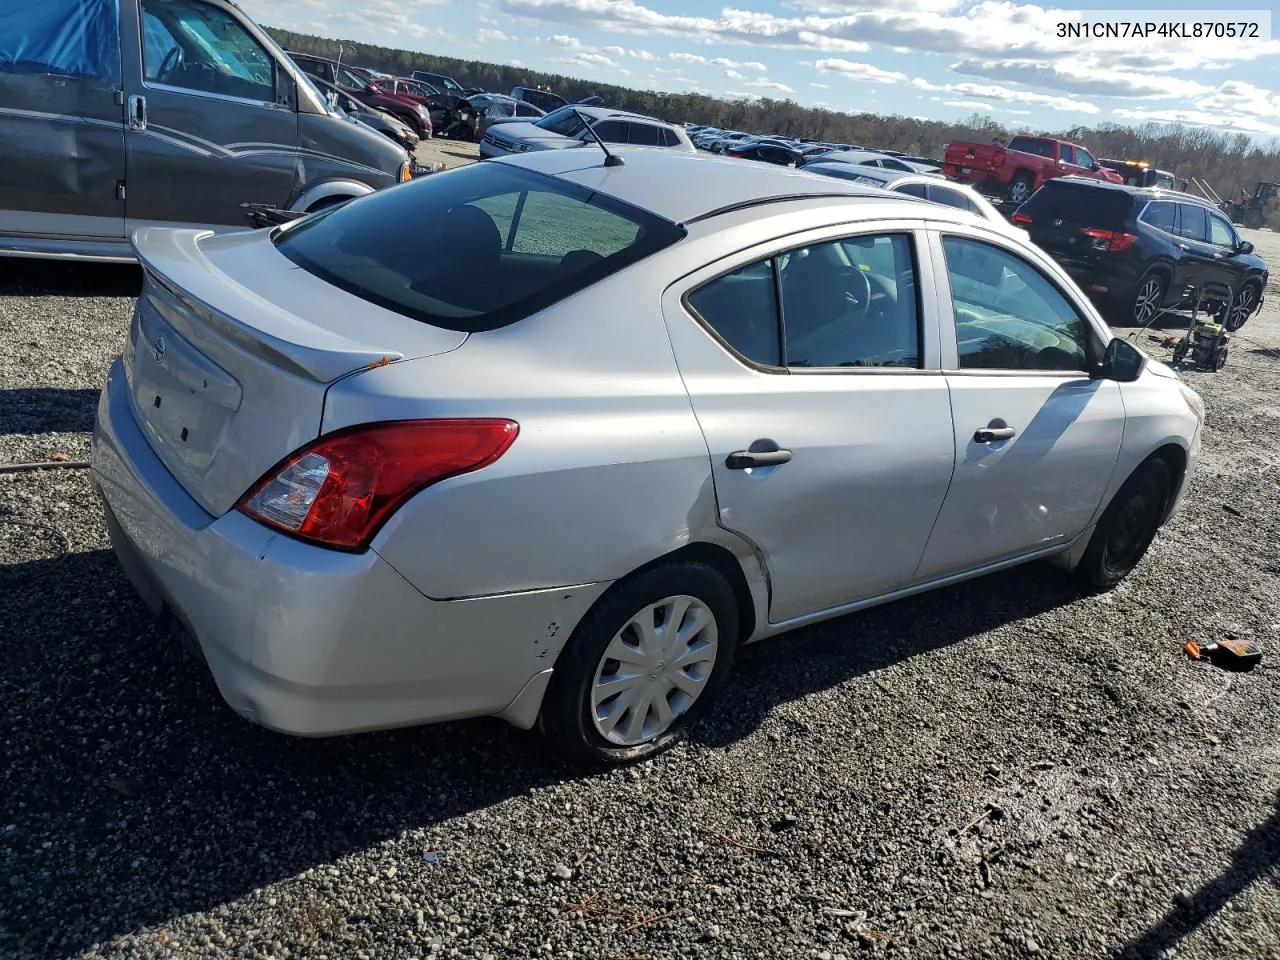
[{"x": 211, "y": 117}]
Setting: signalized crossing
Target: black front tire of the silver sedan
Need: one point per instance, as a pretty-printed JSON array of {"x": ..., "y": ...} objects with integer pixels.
[{"x": 1128, "y": 527}]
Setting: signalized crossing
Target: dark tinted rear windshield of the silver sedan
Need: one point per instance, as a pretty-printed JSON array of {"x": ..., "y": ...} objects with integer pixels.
[{"x": 474, "y": 249}]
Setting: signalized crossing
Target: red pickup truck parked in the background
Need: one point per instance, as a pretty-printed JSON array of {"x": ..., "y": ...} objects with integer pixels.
[{"x": 1018, "y": 171}]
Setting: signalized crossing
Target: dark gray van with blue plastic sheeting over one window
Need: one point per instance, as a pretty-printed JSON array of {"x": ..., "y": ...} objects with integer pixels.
[{"x": 121, "y": 115}]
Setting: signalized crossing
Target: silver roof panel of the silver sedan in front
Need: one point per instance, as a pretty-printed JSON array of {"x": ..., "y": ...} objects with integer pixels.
[{"x": 707, "y": 185}]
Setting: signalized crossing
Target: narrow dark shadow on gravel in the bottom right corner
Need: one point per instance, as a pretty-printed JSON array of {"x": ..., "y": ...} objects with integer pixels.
[{"x": 1258, "y": 858}]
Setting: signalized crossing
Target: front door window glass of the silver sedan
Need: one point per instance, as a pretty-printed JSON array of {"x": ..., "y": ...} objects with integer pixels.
[{"x": 1009, "y": 316}]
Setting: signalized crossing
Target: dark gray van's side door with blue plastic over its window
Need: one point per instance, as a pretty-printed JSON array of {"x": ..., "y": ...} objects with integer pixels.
[{"x": 62, "y": 126}]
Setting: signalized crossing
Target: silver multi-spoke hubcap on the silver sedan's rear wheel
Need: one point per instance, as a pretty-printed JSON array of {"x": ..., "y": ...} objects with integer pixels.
[{"x": 653, "y": 670}]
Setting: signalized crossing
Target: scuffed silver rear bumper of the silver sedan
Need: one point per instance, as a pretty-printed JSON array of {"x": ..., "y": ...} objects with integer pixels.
[{"x": 307, "y": 641}]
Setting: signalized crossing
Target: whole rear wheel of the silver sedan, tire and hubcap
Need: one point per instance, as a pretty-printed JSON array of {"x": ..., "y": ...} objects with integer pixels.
[{"x": 586, "y": 723}]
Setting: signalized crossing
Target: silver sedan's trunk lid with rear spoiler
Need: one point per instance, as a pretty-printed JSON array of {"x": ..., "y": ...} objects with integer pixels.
[{"x": 232, "y": 350}]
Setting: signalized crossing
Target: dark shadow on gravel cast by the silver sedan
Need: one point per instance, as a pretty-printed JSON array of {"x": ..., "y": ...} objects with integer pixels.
[{"x": 138, "y": 796}]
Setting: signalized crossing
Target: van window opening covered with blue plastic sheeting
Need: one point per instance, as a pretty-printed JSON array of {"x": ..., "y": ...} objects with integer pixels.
[{"x": 63, "y": 38}]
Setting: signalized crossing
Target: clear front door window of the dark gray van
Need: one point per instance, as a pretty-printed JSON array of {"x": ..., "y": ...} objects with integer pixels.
[{"x": 202, "y": 48}]
